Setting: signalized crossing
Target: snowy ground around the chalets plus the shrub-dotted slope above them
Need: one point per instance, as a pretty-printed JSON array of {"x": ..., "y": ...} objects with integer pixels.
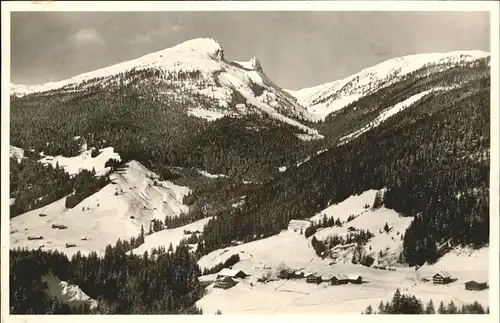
[{"x": 293, "y": 250}]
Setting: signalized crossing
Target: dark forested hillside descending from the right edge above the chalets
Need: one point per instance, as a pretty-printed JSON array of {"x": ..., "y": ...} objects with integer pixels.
[{"x": 433, "y": 158}]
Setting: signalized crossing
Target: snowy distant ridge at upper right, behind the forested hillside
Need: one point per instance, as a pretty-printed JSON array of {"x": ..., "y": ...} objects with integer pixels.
[{"x": 327, "y": 98}]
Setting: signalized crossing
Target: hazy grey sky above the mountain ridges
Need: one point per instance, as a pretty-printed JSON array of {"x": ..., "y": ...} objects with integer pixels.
[{"x": 296, "y": 49}]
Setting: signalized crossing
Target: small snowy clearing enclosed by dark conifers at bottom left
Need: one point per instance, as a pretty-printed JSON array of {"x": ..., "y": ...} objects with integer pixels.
[{"x": 67, "y": 293}]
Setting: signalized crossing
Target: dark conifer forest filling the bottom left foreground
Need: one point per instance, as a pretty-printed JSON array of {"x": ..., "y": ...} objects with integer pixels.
[{"x": 164, "y": 283}]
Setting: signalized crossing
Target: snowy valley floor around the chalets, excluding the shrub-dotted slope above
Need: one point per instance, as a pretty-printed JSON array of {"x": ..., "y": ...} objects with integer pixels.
[{"x": 298, "y": 296}]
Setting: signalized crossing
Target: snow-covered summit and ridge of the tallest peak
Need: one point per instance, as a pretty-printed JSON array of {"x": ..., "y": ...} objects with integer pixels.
[{"x": 220, "y": 80}]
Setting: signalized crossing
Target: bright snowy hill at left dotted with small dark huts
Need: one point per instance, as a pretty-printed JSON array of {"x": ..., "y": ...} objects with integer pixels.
[{"x": 118, "y": 210}]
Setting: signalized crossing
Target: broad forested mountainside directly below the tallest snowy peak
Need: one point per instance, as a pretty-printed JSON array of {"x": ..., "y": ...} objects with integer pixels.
[{"x": 153, "y": 129}]
